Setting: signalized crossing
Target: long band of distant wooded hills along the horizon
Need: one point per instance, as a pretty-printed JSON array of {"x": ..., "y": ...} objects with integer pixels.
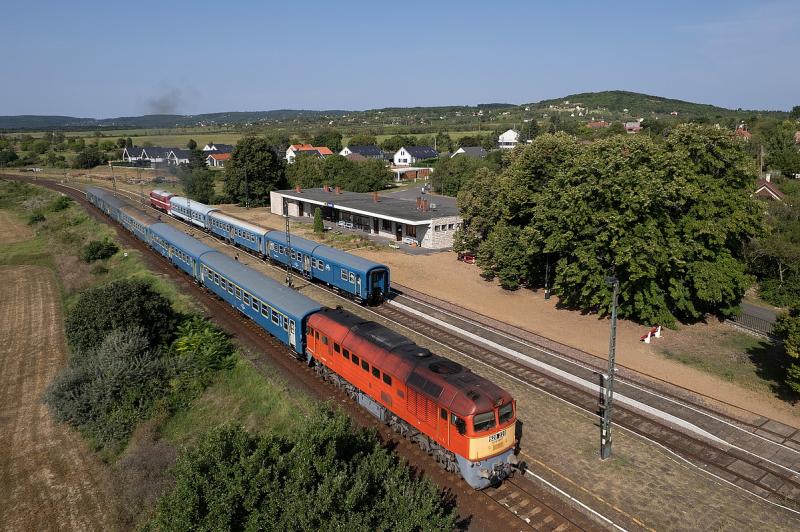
[{"x": 609, "y": 104}]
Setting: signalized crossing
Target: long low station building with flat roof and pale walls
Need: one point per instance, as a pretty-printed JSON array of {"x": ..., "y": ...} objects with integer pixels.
[{"x": 427, "y": 222}]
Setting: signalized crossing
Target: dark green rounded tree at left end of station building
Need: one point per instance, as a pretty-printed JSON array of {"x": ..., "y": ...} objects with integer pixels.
[{"x": 253, "y": 171}]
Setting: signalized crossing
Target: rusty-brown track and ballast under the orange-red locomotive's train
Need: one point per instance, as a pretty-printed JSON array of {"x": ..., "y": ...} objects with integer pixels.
[{"x": 515, "y": 506}]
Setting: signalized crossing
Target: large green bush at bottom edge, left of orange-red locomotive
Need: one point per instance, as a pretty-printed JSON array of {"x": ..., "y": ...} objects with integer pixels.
[{"x": 328, "y": 475}]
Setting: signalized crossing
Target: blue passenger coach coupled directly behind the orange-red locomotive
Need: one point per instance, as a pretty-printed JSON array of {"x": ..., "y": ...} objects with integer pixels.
[{"x": 279, "y": 310}]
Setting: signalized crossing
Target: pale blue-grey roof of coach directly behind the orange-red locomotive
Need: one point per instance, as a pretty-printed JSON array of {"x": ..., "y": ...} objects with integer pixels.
[{"x": 268, "y": 290}]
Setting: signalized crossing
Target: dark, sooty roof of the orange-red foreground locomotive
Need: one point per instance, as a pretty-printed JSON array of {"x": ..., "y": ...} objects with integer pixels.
[{"x": 443, "y": 380}]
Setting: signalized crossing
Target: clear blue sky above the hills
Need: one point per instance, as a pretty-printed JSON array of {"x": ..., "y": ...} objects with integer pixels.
[{"x": 108, "y": 59}]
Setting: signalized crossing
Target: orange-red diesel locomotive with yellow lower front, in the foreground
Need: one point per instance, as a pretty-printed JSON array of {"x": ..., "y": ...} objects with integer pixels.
[{"x": 465, "y": 421}]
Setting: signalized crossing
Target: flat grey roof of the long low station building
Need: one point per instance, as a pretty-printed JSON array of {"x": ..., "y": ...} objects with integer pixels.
[{"x": 389, "y": 208}]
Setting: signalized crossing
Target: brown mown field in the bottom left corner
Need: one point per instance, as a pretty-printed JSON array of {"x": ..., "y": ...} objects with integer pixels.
[{"x": 49, "y": 479}]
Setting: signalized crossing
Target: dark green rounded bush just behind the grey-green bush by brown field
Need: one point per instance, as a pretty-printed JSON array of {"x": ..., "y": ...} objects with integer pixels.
[{"x": 120, "y": 304}]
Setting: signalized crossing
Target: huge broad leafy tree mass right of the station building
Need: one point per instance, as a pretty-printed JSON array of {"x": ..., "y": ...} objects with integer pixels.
[{"x": 668, "y": 219}]
